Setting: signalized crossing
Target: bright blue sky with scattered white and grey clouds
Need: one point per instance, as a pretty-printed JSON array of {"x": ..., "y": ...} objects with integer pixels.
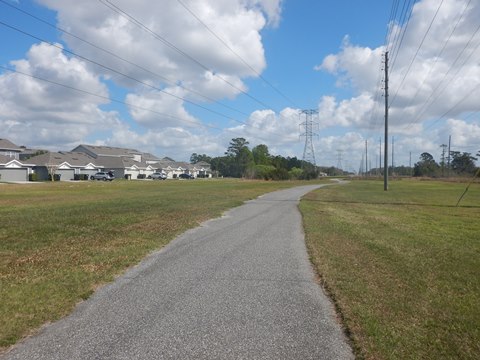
[{"x": 323, "y": 55}]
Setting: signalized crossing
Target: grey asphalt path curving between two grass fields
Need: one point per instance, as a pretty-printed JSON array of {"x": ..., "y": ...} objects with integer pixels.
[{"x": 237, "y": 287}]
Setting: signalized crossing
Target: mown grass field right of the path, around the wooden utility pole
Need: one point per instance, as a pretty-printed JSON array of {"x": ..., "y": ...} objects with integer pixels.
[{"x": 403, "y": 266}]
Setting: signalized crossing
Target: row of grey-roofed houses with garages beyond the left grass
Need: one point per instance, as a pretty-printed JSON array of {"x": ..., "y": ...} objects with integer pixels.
[{"x": 18, "y": 163}]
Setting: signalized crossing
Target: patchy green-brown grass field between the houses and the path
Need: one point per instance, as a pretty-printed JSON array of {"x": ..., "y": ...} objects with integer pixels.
[{"x": 59, "y": 241}]
